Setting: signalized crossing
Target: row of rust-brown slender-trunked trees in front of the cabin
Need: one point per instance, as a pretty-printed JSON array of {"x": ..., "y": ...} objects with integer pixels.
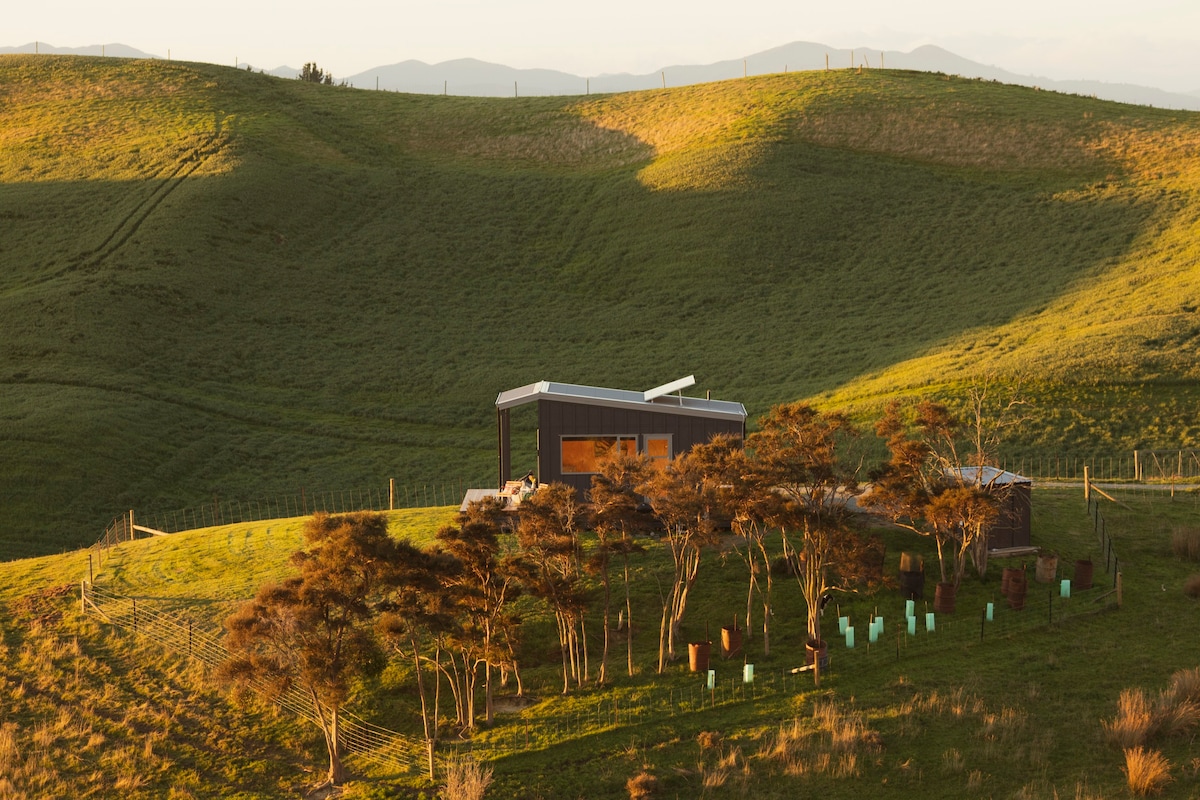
[{"x": 361, "y": 597}]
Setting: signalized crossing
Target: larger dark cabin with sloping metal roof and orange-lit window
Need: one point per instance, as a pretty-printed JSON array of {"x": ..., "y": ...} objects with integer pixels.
[{"x": 579, "y": 425}]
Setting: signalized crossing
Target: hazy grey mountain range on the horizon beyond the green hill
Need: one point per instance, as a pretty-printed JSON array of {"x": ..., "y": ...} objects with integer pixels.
[{"x": 471, "y": 77}]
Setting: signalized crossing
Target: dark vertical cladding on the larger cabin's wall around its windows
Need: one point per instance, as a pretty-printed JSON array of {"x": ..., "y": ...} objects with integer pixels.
[{"x": 559, "y": 419}]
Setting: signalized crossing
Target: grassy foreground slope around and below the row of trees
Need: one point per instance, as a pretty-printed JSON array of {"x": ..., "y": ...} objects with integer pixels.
[{"x": 89, "y": 708}]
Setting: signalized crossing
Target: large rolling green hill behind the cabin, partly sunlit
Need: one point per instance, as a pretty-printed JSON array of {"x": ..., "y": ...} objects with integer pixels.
[{"x": 221, "y": 285}]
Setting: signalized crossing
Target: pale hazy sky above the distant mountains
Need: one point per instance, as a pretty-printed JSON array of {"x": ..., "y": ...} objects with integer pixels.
[{"x": 1151, "y": 43}]
